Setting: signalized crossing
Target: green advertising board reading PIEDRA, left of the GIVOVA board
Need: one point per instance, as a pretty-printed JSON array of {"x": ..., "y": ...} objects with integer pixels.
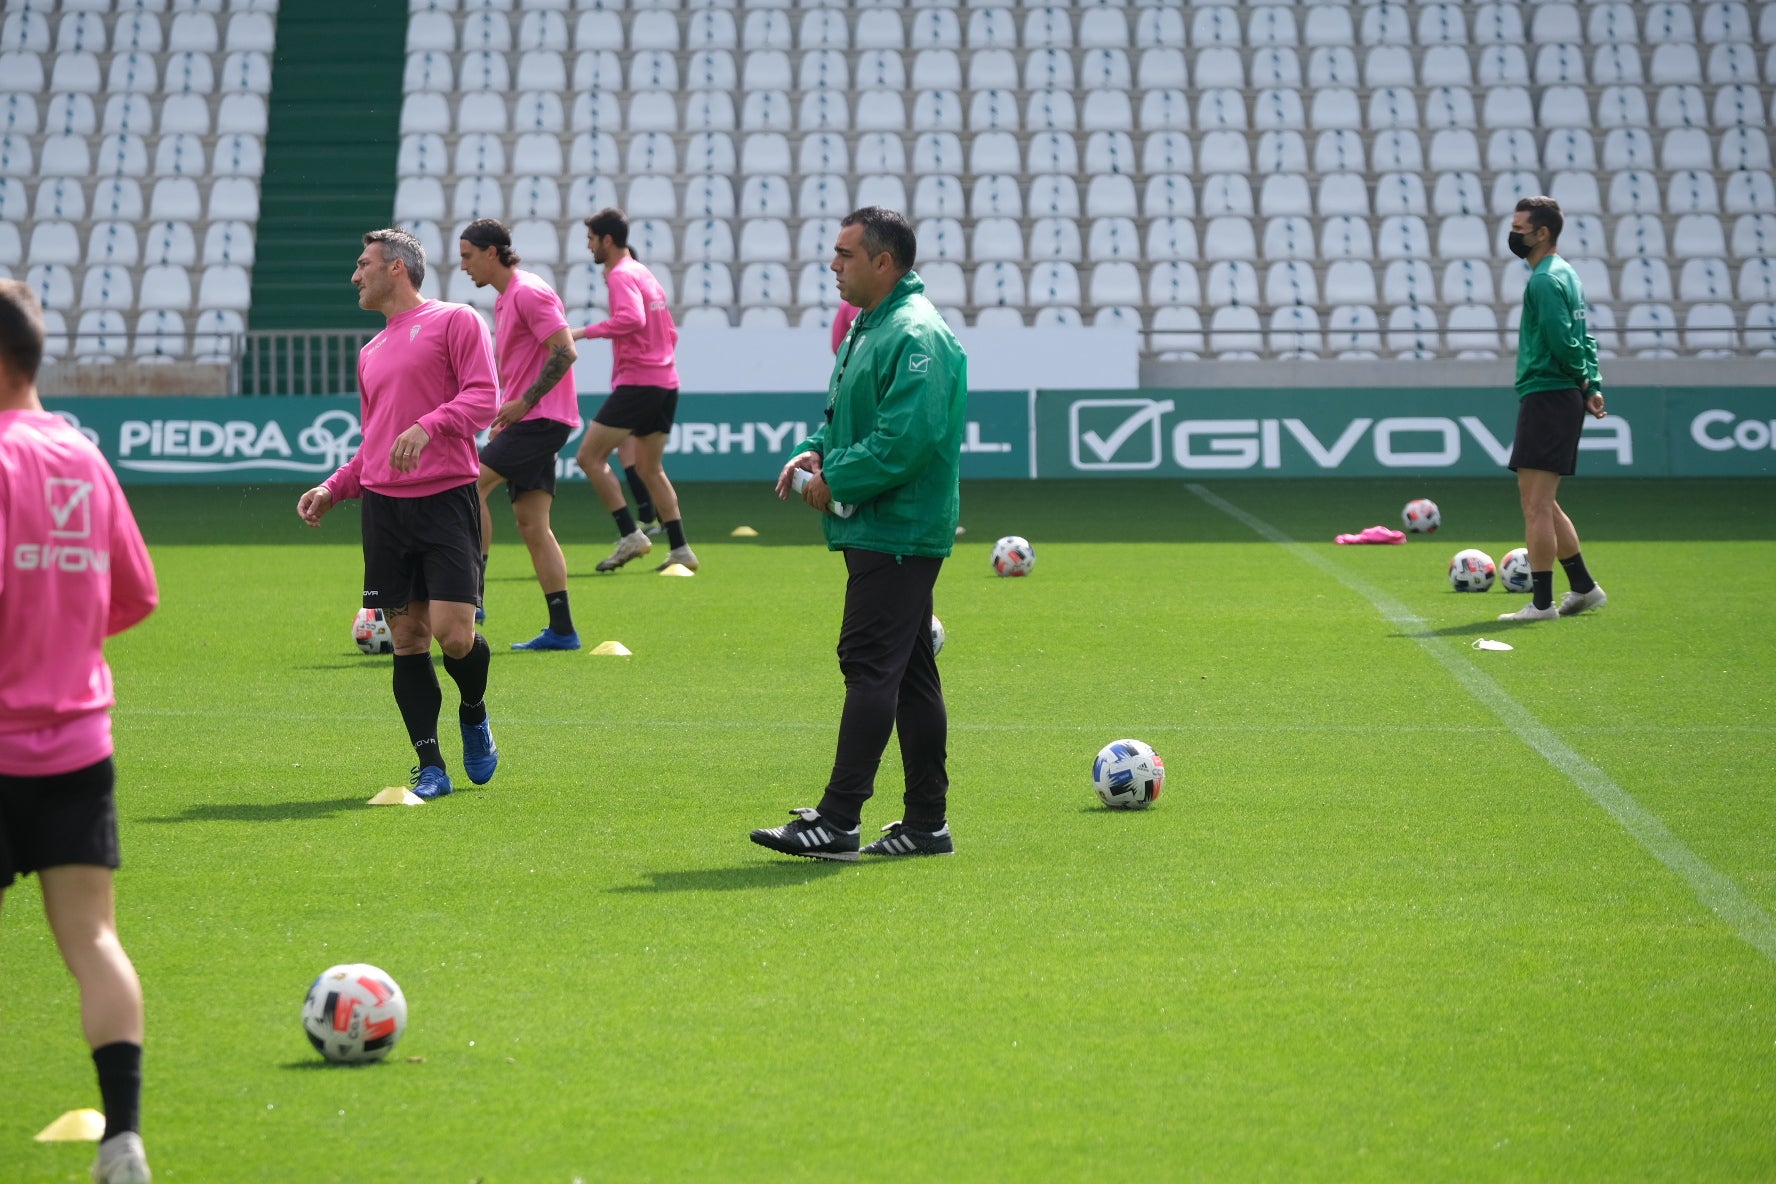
[{"x": 718, "y": 438}]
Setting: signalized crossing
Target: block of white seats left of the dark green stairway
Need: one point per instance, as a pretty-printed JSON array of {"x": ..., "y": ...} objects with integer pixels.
[{"x": 132, "y": 134}]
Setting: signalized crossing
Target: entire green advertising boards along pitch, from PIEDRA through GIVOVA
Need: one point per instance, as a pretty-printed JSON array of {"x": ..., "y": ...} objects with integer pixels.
[{"x": 1656, "y": 432}]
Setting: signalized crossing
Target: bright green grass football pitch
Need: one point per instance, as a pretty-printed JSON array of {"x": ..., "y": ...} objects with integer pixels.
[{"x": 1367, "y": 935}]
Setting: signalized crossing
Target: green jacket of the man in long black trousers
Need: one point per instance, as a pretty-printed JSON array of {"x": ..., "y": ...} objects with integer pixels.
[{"x": 894, "y": 429}]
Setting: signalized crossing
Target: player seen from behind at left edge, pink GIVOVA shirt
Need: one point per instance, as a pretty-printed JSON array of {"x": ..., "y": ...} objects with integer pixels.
[{"x": 74, "y": 571}]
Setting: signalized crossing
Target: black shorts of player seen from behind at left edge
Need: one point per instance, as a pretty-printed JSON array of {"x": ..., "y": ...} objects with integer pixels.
[{"x": 63, "y": 819}]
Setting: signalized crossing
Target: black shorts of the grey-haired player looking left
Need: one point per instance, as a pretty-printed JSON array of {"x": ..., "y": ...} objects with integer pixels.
[{"x": 422, "y": 548}]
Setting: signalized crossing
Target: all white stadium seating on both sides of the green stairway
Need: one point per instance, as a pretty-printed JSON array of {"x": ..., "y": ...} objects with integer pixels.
[{"x": 1257, "y": 180}]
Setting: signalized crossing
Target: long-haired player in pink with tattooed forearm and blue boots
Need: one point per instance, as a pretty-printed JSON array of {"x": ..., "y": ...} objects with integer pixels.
[{"x": 541, "y": 409}]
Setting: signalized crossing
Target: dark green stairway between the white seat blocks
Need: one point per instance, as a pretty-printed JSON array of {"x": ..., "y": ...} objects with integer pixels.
[{"x": 329, "y": 162}]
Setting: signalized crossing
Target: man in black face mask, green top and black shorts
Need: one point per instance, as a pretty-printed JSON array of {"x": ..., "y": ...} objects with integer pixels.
[{"x": 1557, "y": 384}]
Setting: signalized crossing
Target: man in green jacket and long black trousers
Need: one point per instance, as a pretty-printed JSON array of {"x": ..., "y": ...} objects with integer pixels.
[{"x": 884, "y": 471}]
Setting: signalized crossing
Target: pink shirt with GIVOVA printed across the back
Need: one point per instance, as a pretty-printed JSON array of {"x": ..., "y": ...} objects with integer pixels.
[{"x": 74, "y": 571}]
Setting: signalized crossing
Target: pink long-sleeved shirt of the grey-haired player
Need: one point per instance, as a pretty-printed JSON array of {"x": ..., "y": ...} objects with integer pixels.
[{"x": 432, "y": 367}]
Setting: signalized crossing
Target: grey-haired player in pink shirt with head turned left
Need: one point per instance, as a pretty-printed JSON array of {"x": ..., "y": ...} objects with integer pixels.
[{"x": 425, "y": 390}]
